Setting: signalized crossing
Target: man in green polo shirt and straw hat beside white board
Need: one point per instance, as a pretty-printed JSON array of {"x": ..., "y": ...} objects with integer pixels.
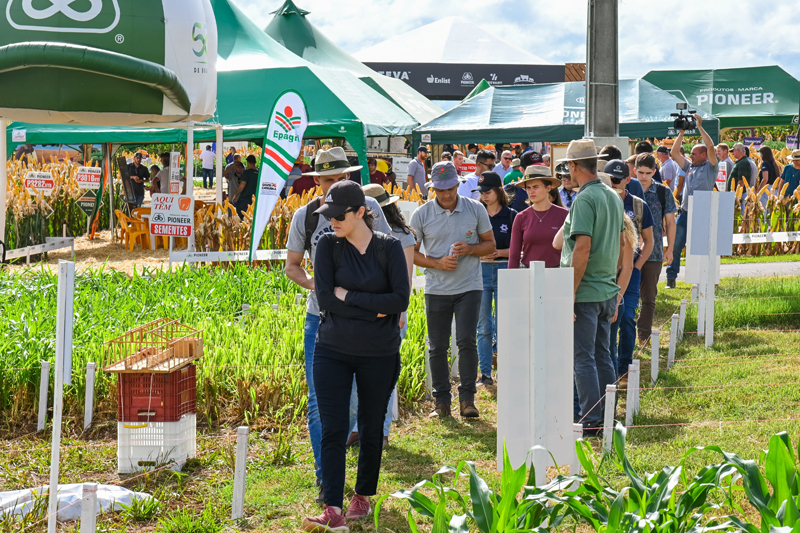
[{"x": 592, "y": 241}]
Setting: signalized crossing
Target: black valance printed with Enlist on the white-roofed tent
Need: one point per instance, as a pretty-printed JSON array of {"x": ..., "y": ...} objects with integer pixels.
[{"x": 443, "y": 81}]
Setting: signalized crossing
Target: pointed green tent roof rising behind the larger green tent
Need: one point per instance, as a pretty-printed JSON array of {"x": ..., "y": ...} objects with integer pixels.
[{"x": 291, "y": 28}]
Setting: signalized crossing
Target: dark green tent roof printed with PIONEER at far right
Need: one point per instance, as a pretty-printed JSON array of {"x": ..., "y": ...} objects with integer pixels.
[{"x": 738, "y": 97}]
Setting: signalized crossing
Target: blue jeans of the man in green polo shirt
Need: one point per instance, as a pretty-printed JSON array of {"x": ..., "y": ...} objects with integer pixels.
[{"x": 594, "y": 367}]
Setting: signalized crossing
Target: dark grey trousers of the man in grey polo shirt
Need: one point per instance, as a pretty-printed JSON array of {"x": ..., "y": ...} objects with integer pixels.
[{"x": 439, "y": 311}]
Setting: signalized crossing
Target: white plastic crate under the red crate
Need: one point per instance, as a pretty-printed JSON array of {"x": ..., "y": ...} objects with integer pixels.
[{"x": 155, "y": 443}]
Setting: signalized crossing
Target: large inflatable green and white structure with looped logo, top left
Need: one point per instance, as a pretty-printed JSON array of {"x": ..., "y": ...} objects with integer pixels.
[{"x": 121, "y": 63}]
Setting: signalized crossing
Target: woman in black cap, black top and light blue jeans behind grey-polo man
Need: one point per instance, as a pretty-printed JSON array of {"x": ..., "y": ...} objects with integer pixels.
[{"x": 494, "y": 197}]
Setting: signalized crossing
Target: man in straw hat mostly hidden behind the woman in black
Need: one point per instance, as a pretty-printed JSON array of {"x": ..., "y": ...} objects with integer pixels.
[{"x": 331, "y": 166}]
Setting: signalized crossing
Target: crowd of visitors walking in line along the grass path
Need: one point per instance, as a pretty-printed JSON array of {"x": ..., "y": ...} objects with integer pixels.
[{"x": 601, "y": 215}]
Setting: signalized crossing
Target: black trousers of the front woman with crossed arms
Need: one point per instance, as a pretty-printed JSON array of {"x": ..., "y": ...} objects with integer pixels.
[{"x": 333, "y": 381}]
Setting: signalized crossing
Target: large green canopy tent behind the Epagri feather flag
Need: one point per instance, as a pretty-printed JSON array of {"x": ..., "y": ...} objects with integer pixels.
[{"x": 252, "y": 70}]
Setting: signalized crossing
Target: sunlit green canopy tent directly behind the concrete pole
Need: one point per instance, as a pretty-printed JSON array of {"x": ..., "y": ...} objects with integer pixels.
[{"x": 551, "y": 112}]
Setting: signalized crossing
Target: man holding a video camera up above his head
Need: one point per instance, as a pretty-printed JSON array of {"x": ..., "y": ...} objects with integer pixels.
[{"x": 701, "y": 175}]
